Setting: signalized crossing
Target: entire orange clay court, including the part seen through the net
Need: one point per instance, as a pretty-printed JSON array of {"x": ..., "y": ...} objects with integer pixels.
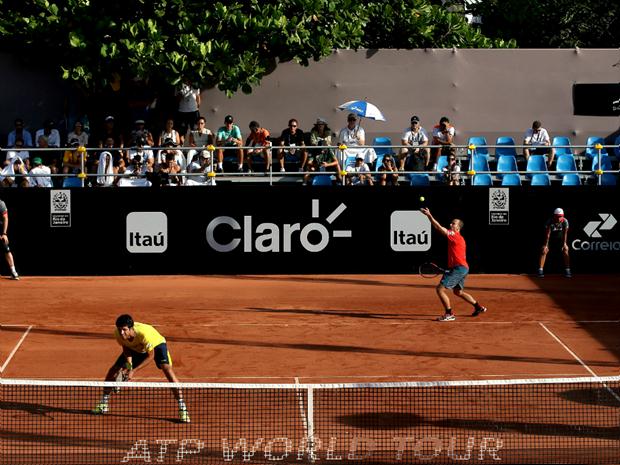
[{"x": 298, "y": 368}]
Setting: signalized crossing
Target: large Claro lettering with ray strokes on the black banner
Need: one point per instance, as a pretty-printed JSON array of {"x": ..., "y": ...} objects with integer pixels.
[{"x": 225, "y": 234}]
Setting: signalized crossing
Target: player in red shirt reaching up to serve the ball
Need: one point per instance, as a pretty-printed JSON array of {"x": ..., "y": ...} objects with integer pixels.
[{"x": 454, "y": 277}]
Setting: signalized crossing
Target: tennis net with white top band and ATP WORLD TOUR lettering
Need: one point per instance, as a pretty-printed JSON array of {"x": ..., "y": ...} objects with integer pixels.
[{"x": 573, "y": 420}]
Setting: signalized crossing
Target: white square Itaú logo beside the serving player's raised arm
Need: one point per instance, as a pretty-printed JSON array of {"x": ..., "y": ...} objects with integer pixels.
[{"x": 410, "y": 231}]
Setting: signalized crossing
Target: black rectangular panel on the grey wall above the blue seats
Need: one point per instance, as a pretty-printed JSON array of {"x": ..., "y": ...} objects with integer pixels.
[{"x": 596, "y": 99}]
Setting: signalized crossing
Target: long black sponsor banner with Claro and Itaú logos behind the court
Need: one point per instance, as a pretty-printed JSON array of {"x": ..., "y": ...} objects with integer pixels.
[{"x": 241, "y": 229}]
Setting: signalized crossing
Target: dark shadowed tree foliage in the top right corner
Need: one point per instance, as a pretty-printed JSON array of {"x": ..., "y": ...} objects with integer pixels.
[{"x": 552, "y": 23}]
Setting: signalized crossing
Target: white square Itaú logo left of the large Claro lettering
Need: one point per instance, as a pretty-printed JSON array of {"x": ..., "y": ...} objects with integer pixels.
[{"x": 147, "y": 232}]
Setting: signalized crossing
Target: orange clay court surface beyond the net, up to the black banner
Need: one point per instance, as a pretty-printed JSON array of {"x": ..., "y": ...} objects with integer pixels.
[{"x": 314, "y": 329}]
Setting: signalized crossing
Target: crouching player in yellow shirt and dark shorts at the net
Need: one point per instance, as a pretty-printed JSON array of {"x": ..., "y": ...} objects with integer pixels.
[{"x": 140, "y": 343}]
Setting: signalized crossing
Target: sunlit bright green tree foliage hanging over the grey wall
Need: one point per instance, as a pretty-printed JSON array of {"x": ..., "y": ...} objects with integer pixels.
[{"x": 230, "y": 44}]
